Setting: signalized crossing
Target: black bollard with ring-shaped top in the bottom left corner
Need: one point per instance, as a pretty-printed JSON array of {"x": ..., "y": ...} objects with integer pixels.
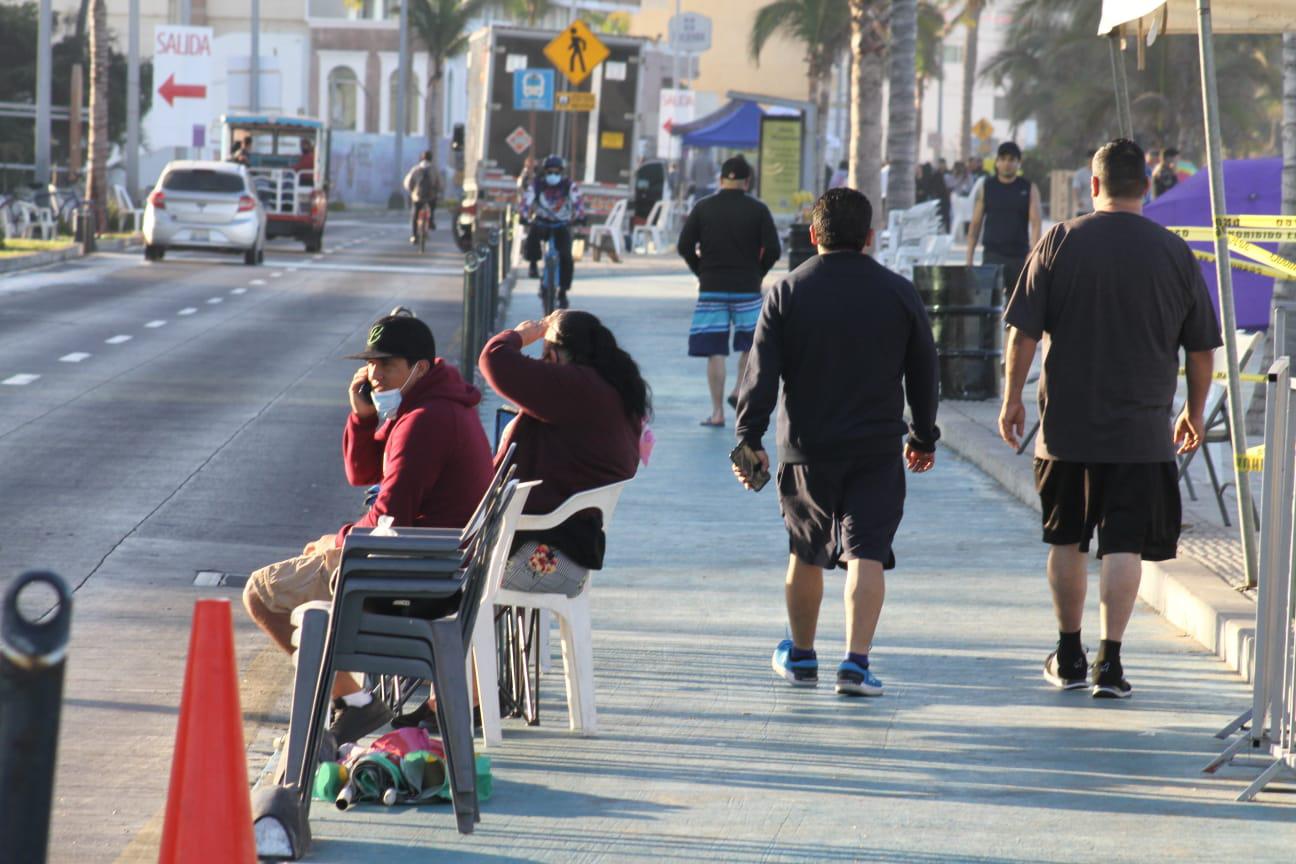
[{"x": 32, "y": 691}]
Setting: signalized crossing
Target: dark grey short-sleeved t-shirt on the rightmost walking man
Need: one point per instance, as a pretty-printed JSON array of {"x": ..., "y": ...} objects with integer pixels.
[{"x": 1115, "y": 297}]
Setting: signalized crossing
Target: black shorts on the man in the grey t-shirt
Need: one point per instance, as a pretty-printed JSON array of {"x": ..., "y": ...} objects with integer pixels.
[{"x": 1135, "y": 506}]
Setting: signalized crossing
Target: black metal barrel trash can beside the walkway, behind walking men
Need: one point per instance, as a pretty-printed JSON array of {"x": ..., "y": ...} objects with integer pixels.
[{"x": 966, "y": 308}]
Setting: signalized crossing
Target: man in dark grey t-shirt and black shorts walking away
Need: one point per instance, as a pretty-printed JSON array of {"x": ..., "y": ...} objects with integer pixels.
[{"x": 1118, "y": 297}]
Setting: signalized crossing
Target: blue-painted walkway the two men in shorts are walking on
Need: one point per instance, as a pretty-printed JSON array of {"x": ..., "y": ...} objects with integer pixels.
[{"x": 704, "y": 756}]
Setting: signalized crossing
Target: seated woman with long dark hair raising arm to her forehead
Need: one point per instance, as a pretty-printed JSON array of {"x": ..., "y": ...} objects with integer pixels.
[{"x": 583, "y": 409}]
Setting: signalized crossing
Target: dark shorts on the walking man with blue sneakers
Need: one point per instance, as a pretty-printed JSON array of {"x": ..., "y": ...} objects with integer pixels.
[{"x": 843, "y": 511}]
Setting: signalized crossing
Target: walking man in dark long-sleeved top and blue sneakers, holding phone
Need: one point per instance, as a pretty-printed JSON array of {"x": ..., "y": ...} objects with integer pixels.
[{"x": 850, "y": 340}]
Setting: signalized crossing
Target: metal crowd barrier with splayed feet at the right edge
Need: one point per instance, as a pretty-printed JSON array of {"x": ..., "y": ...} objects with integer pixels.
[{"x": 1269, "y": 726}]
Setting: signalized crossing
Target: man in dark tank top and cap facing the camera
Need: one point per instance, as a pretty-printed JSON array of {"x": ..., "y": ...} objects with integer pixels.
[{"x": 1008, "y": 205}]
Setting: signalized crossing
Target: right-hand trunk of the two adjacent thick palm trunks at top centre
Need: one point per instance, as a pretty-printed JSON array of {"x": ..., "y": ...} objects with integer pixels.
[{"x": 903, "y": 109}]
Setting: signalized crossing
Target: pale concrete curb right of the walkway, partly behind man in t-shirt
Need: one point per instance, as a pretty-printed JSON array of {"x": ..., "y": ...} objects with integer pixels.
[{"x": 1183, "y": 591}]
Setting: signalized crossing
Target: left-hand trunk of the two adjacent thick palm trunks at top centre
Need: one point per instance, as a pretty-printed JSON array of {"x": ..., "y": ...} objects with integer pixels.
[{"x": 868, "y": 43}]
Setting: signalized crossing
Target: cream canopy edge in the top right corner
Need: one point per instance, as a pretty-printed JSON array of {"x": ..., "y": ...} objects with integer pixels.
[{"x": 1157, "y": 17}]
